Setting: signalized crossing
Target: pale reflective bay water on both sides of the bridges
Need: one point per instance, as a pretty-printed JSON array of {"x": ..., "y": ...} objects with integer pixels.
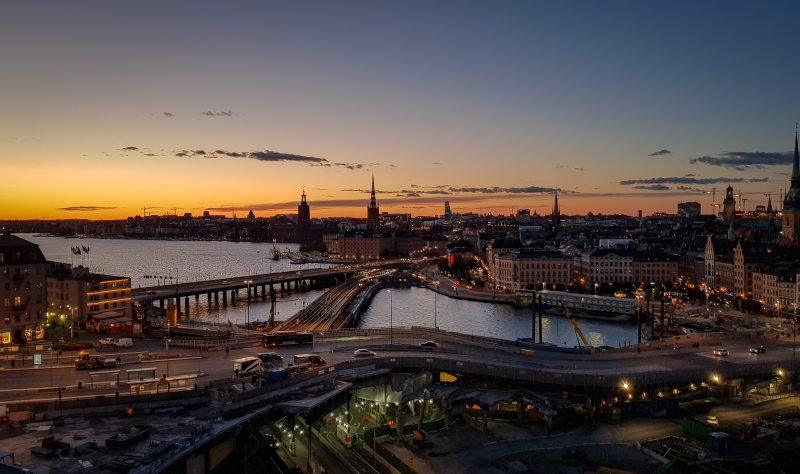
[{"x": 185, "y": 261}]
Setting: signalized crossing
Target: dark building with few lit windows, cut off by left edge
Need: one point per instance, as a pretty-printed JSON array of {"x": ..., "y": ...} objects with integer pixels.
[{"x": 22, "y": 290}]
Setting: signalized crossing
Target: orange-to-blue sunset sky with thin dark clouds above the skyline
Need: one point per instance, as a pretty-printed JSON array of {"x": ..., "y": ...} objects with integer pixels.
[{"x": 108, "y": 107}]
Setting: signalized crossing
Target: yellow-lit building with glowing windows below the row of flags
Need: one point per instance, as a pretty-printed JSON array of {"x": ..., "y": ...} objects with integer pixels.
[{"x": 87, "y": 300}]
